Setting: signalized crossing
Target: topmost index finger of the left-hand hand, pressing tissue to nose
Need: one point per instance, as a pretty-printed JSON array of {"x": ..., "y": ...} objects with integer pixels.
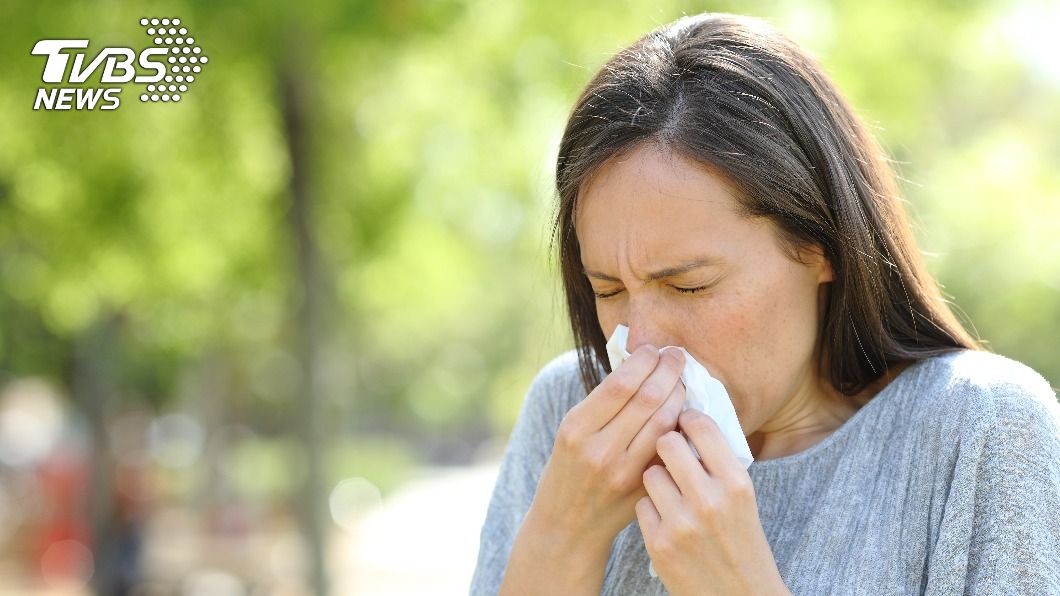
[{"x": 609, "y": 398}]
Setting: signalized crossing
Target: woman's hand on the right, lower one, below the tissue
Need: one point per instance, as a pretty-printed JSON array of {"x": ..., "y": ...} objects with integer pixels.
[{"x": 700, "y": 520}]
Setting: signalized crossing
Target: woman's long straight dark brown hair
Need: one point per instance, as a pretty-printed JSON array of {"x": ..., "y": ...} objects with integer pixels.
[{"x": 739, "y": 97}]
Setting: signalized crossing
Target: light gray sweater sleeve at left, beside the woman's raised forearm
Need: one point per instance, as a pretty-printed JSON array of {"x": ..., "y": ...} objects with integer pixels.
[{"x": 529, "y": 448}]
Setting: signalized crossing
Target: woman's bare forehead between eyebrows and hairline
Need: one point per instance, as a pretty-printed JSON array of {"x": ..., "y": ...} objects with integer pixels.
[{"x": 660, "y": 201}]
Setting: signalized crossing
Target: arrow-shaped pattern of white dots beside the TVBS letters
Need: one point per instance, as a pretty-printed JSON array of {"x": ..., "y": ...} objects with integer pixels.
[{"x": 168, "y": 34}]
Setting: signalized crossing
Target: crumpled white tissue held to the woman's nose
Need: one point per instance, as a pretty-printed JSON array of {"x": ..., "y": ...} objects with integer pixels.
[{"x": 702, "y": 393}]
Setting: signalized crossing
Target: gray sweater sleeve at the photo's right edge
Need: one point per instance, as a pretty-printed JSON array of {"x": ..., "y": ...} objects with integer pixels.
[{"x": 1000, "y": 532}]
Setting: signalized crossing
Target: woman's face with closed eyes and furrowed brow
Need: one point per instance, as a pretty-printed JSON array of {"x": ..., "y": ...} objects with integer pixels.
[{"x": 653, "y": 227}]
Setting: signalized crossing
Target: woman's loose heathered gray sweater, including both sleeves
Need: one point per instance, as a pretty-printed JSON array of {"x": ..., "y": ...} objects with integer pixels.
[{"x": 948, "y": 482}]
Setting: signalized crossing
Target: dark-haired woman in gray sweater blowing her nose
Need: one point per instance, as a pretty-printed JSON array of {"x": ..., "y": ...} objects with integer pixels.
[{"x": 718, "y": 194}]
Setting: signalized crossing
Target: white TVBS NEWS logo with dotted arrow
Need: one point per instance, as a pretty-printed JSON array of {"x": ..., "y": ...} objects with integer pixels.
[{"x": 168, "y": 69}]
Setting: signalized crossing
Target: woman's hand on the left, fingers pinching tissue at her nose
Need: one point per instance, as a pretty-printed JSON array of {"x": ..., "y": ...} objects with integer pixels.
[{"x": 594, "y": 479}]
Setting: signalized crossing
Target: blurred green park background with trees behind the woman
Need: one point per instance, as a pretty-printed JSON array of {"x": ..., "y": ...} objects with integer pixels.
[{"x": 272, "y": 340}]
